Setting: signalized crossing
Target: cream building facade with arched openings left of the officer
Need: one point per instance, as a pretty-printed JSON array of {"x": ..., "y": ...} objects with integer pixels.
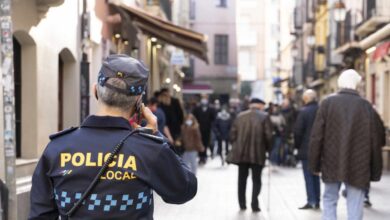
[{"x": 46, "y": 40}]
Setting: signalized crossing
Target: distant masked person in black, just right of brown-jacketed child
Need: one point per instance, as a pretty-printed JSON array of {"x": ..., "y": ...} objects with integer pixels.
[{"x": 205, "y": 115}]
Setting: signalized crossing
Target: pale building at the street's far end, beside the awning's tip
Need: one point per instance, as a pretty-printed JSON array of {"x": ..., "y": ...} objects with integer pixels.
[{"x": 217, "y": 20}]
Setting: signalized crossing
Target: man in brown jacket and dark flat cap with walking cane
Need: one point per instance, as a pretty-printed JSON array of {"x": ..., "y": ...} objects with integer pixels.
[{"x": 251, "y": 137}]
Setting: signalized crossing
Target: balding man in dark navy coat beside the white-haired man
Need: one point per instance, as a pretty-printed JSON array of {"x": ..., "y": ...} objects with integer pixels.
[{"x": 302, "y": 131}]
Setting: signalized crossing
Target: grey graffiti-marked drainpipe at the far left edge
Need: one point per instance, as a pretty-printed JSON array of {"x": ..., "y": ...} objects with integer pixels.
[{"x": 7, "y": 154}]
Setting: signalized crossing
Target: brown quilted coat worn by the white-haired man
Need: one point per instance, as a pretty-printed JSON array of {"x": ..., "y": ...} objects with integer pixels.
[{"x": 345, "y": 144}]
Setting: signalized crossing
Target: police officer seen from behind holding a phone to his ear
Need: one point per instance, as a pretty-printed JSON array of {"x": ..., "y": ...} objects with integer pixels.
[{"x": 143, "y": 164}]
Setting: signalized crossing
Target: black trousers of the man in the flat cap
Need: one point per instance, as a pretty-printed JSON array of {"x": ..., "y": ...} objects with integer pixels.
[{"x": 243, "y": 172}]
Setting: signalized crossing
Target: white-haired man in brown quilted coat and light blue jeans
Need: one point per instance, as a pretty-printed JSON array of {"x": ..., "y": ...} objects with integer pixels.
[{"x": 345, "y": 146}]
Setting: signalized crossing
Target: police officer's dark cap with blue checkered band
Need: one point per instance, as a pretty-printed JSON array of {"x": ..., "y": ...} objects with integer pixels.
[{"x": 132, "y": 71}]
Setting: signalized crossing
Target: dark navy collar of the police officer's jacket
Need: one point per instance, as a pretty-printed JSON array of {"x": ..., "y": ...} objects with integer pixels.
[{"x": 94, "y": 121}]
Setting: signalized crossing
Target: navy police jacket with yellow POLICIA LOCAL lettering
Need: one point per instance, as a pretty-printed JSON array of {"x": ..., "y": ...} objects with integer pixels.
[{"x": 71, "y": 161}]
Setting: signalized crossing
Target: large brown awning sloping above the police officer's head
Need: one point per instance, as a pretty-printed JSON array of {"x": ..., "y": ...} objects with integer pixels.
[{"x": 188, "y": 40}]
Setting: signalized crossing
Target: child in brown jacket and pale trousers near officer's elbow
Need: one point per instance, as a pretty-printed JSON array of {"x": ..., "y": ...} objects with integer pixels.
[{"x": 192, "y": 141}]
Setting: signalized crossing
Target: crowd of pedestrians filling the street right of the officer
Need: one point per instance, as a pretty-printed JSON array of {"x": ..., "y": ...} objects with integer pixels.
[{"x": 339, "y": 140}]
